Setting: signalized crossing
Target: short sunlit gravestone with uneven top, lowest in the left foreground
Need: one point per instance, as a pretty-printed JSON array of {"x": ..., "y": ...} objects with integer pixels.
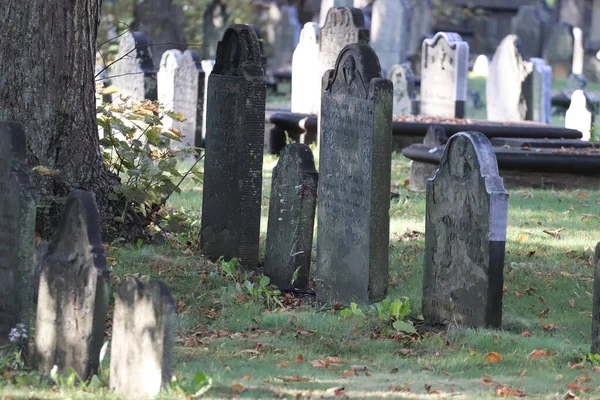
[{"x": 141, "y": 358}]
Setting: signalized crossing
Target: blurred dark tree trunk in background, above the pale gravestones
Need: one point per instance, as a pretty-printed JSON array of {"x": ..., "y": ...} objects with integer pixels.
[{"x": 163, "y": 23}]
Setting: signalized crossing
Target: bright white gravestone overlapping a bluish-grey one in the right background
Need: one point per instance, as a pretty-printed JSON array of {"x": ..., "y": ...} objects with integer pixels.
[{"x": 508, "y": 71}]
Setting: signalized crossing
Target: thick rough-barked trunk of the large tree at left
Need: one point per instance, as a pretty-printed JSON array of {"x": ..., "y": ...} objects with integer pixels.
[{"x": 47, "y": 56}]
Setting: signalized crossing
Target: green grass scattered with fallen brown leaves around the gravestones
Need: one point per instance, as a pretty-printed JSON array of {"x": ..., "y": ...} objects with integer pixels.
[{"x": 255, "y": 346}]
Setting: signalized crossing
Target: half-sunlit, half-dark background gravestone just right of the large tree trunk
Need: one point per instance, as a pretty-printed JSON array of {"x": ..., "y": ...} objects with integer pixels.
[{"x": 133, "y": 72}]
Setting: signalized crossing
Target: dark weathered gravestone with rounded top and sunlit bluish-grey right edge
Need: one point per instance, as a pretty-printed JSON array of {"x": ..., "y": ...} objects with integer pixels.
[{"x": 465, "y": 235}]
